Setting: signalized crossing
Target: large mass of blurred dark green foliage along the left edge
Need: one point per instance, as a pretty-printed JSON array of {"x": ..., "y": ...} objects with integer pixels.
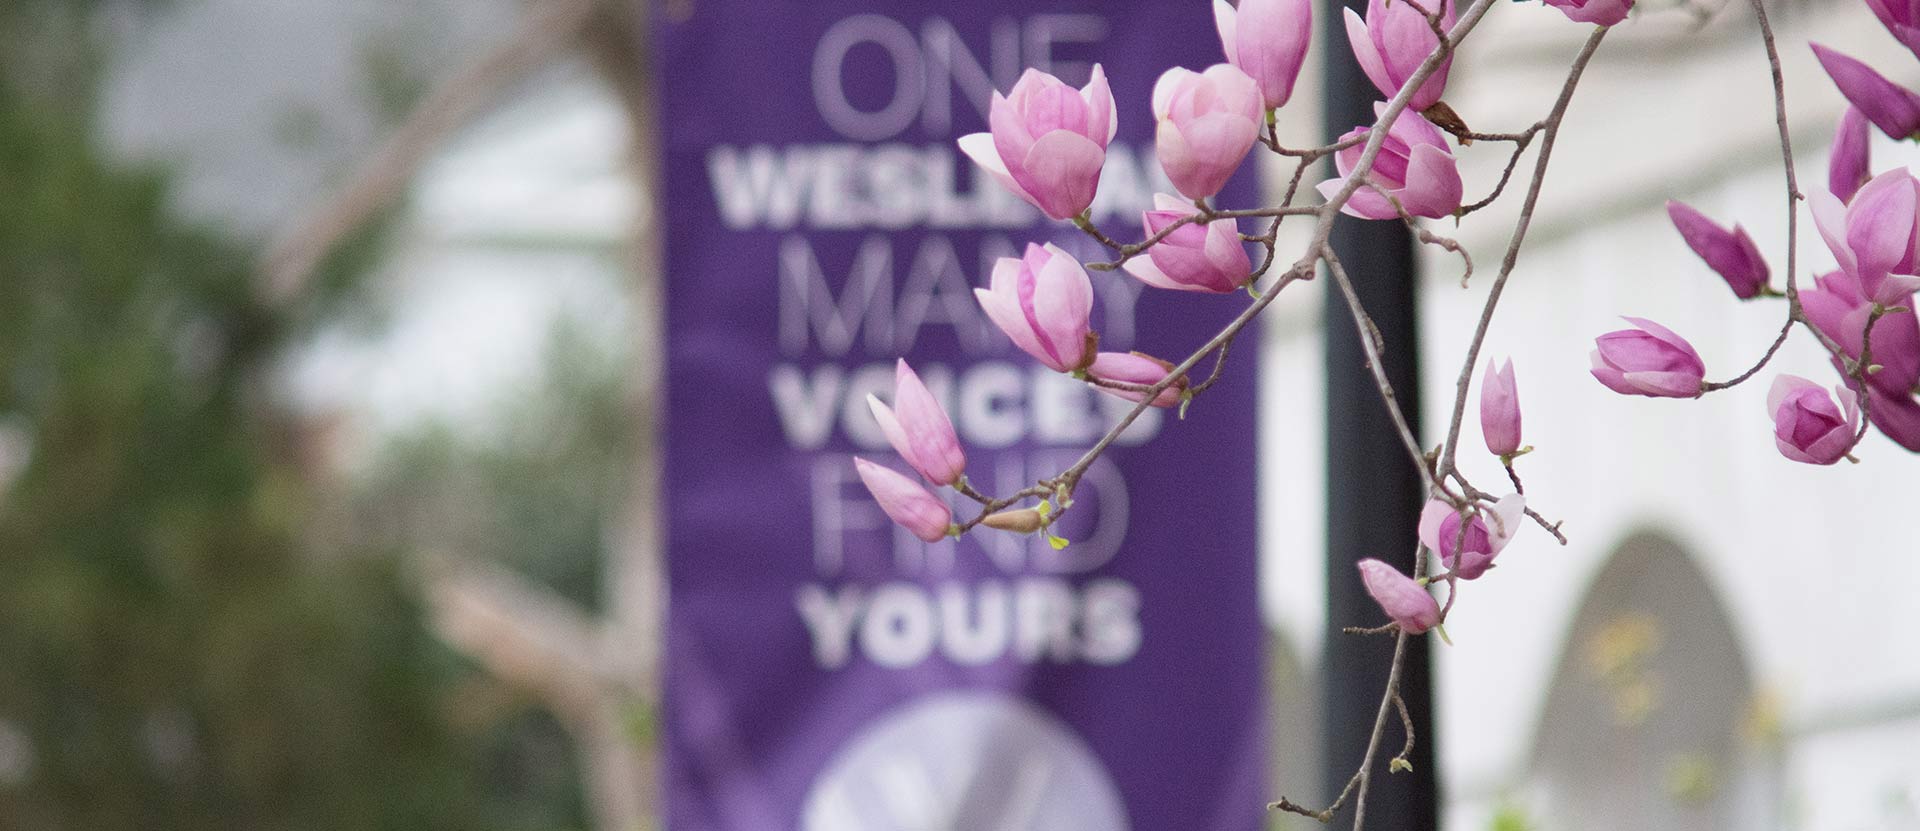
[{"x": 174, "y": 650}]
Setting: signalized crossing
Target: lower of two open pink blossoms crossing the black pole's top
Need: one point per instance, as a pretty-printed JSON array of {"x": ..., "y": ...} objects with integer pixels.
[{"x": 1414, "y": 166}]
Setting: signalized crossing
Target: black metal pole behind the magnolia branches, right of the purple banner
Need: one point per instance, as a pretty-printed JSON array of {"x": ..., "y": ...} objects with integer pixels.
[{"x": 1374, "y": 492}]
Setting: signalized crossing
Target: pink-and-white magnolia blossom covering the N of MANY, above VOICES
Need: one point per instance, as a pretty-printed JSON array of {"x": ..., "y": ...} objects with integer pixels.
[{"x": 1042, "y": 302}]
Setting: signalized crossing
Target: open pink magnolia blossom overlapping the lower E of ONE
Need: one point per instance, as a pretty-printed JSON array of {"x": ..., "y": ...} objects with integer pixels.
[{"x": 1049, "y": 141}]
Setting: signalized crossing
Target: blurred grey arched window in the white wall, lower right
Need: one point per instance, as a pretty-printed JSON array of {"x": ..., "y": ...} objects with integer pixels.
[{"x": 1652, "y": 721}]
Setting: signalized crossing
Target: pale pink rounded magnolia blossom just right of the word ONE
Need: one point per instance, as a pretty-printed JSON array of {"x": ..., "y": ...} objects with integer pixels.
[{"x": 1207, "y": 124}]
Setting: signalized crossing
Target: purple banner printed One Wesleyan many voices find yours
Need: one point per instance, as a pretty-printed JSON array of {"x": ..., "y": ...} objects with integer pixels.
[{"x": 827, "y": 671}]
